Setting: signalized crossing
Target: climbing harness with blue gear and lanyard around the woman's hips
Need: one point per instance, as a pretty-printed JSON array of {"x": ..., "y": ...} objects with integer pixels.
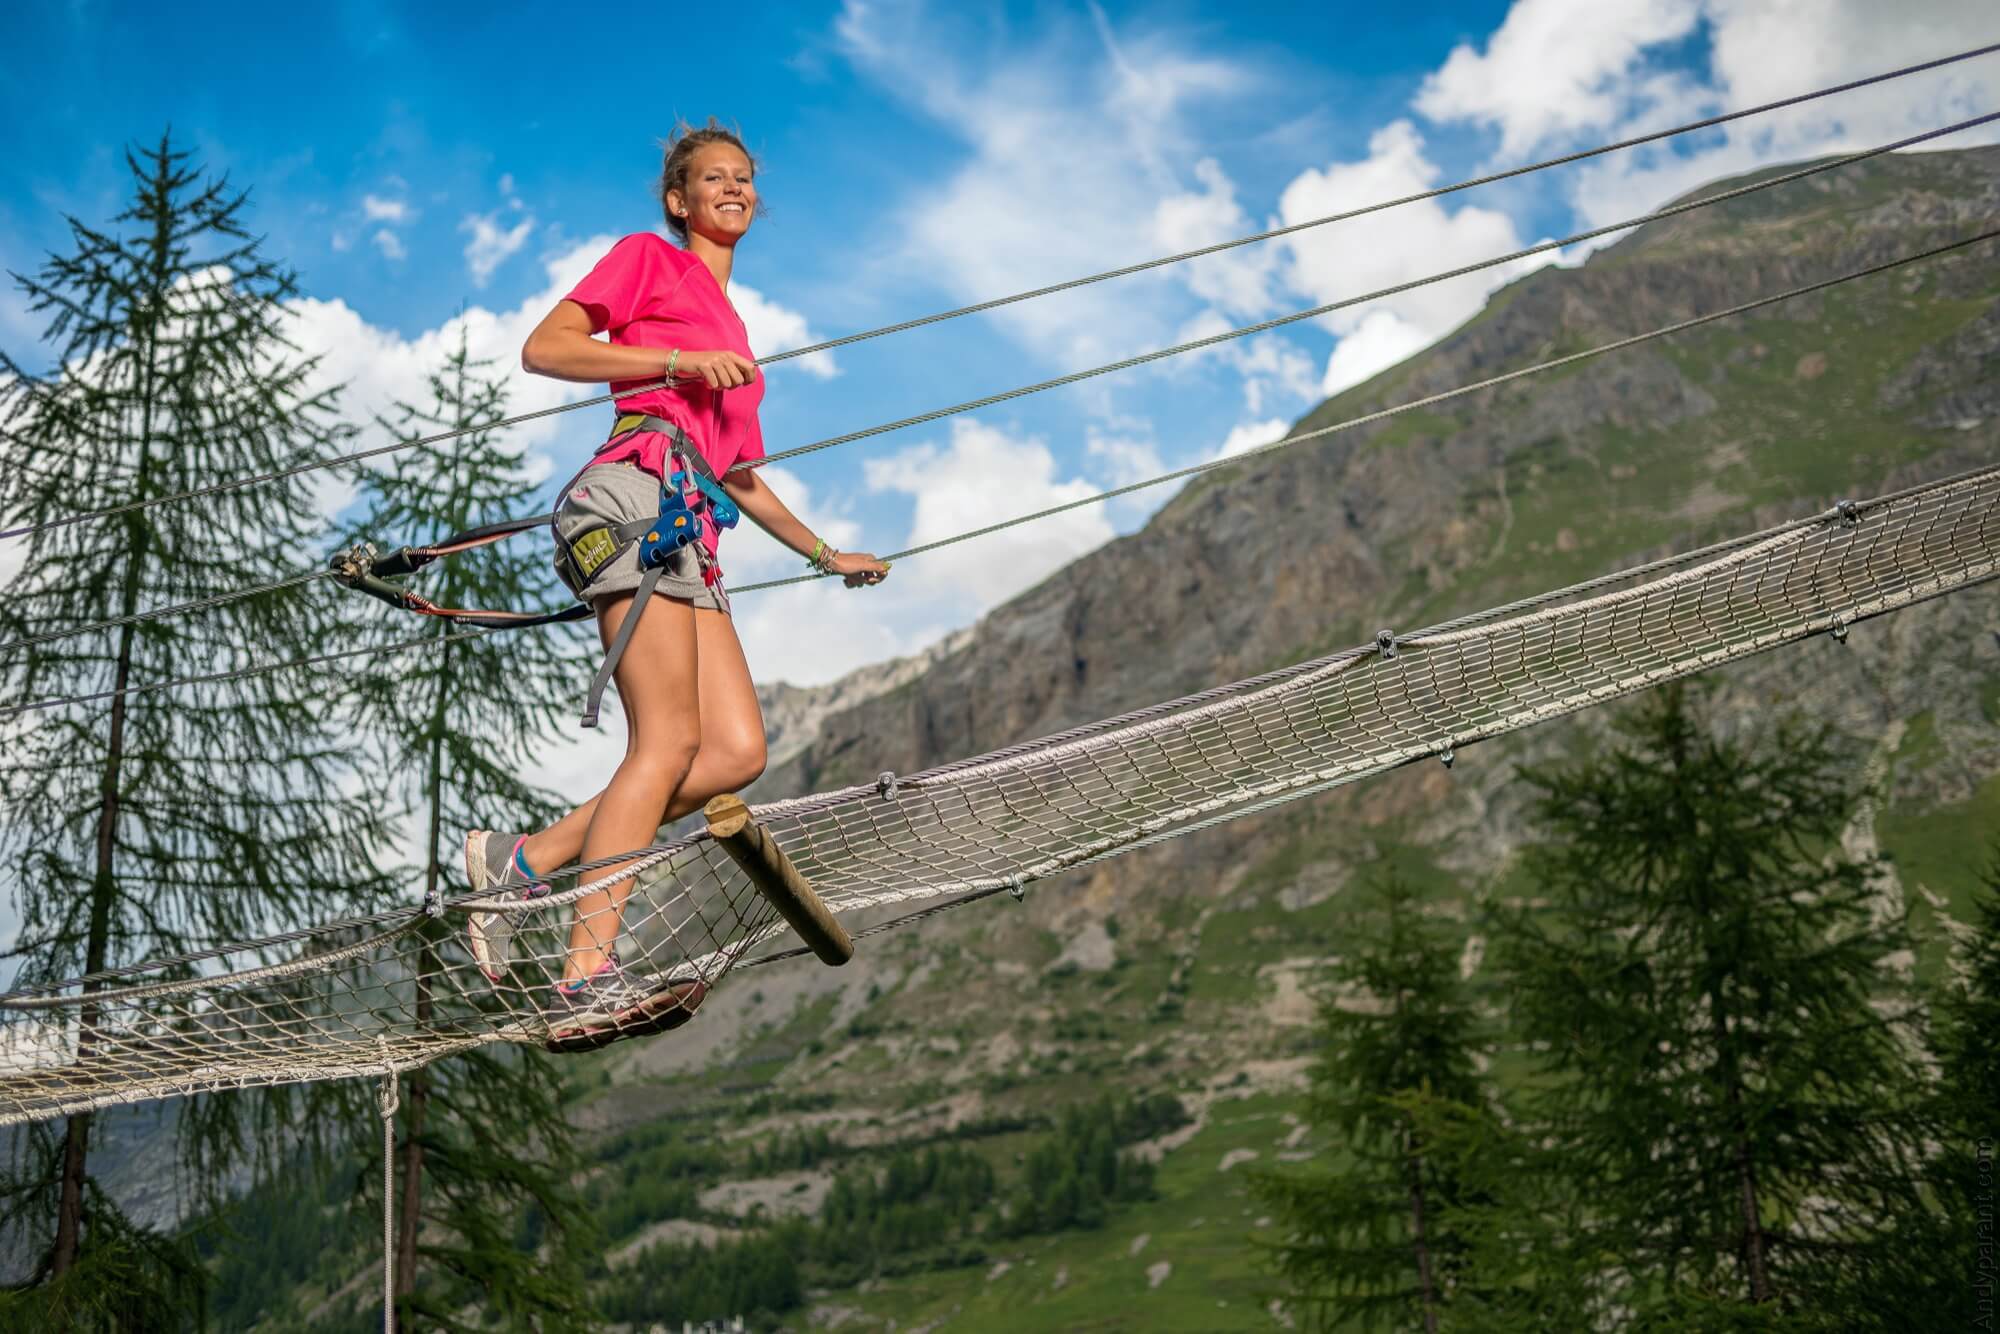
[{"x": 691, "y": 497}]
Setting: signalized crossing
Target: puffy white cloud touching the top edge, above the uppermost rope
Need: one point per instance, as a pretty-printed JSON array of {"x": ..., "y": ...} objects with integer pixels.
[{"x": 1555, "y": 69}]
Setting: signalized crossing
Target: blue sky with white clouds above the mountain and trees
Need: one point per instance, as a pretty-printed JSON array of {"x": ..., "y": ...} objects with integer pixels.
[{"x": 427, "y": 165}]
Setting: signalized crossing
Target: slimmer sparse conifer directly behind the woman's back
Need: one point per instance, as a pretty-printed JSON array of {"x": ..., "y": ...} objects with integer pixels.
[{"x": 483, "y": 1133}]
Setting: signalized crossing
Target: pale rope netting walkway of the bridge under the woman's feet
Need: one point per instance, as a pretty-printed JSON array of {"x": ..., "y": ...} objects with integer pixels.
[{"x": 365, "y": 999}]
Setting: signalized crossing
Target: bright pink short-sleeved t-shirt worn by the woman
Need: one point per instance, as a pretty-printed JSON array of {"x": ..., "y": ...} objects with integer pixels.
[{"x": 655, "y": 295}]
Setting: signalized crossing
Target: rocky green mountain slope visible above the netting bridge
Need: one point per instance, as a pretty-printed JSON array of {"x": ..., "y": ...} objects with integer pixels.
[{"x": 1517, "y": 489}]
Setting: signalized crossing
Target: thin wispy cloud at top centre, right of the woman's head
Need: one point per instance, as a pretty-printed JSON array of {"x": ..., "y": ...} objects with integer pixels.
[{"x": 1073, "y": 145}]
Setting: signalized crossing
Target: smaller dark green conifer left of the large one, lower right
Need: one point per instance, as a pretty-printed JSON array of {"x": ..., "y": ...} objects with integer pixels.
[{"x": 1373, "y": 1239}]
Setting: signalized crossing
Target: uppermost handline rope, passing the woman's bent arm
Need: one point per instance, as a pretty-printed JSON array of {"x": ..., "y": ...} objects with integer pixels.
[{"x": 989, "y": 305}]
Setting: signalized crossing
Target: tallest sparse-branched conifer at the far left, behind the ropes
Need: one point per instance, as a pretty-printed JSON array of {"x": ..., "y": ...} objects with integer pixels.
[{"x": 179, "y": 819}]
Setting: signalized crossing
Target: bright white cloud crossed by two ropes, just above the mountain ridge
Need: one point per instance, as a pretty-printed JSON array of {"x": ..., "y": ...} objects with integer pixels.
[{"x": 1387, "y": 249}]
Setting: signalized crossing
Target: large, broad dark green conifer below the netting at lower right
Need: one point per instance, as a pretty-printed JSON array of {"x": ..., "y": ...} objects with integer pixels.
[{"x": 1725, "y": 1073}]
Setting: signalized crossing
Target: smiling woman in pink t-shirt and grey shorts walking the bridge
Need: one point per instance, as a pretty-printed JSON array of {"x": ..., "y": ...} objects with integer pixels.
[{"x": 639, "y": 529}]
